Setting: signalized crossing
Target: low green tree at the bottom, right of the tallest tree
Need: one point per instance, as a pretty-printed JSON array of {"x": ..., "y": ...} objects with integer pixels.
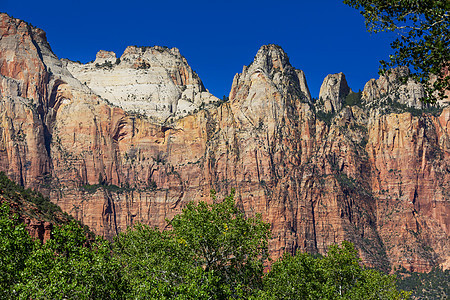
[{"x": 335, "y": 276}]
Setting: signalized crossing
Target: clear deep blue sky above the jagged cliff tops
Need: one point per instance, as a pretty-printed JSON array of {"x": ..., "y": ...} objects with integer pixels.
[{"x": 216, "y": 37}]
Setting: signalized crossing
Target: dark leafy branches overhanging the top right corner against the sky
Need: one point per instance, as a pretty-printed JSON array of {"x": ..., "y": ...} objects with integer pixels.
[{"x": 424, "y": 38}]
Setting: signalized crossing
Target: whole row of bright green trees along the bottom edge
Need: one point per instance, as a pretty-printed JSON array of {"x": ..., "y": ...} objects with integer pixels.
[{"x": 208, "y": 251}]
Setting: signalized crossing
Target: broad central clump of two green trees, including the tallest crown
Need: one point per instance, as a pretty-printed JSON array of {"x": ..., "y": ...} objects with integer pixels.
[{"x": 211, "y": 251}]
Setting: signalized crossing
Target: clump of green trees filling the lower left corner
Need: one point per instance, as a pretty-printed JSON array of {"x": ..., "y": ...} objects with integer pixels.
[{"x": 62, "y": 268}]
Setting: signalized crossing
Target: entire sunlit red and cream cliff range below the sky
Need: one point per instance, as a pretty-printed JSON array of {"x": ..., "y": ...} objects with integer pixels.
[{"x": 376, "y": 177}]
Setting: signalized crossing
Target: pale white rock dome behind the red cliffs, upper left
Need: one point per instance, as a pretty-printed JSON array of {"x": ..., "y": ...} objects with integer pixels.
[{"x": 154, "y": 81}]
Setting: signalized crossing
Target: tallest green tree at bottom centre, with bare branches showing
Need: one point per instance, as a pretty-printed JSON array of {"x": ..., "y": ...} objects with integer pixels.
[{"x": 222, "y": 240}]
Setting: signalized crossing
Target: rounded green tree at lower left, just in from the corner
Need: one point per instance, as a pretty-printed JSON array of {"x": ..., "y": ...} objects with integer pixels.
[{"x": 66, "y": 267}]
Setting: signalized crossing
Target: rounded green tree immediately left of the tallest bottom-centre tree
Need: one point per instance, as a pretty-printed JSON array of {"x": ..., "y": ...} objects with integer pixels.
[{"x": 158, "y": 266}]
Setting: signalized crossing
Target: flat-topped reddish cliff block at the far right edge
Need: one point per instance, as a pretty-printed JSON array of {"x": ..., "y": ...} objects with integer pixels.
[{"x": 410, "y": 157}]
